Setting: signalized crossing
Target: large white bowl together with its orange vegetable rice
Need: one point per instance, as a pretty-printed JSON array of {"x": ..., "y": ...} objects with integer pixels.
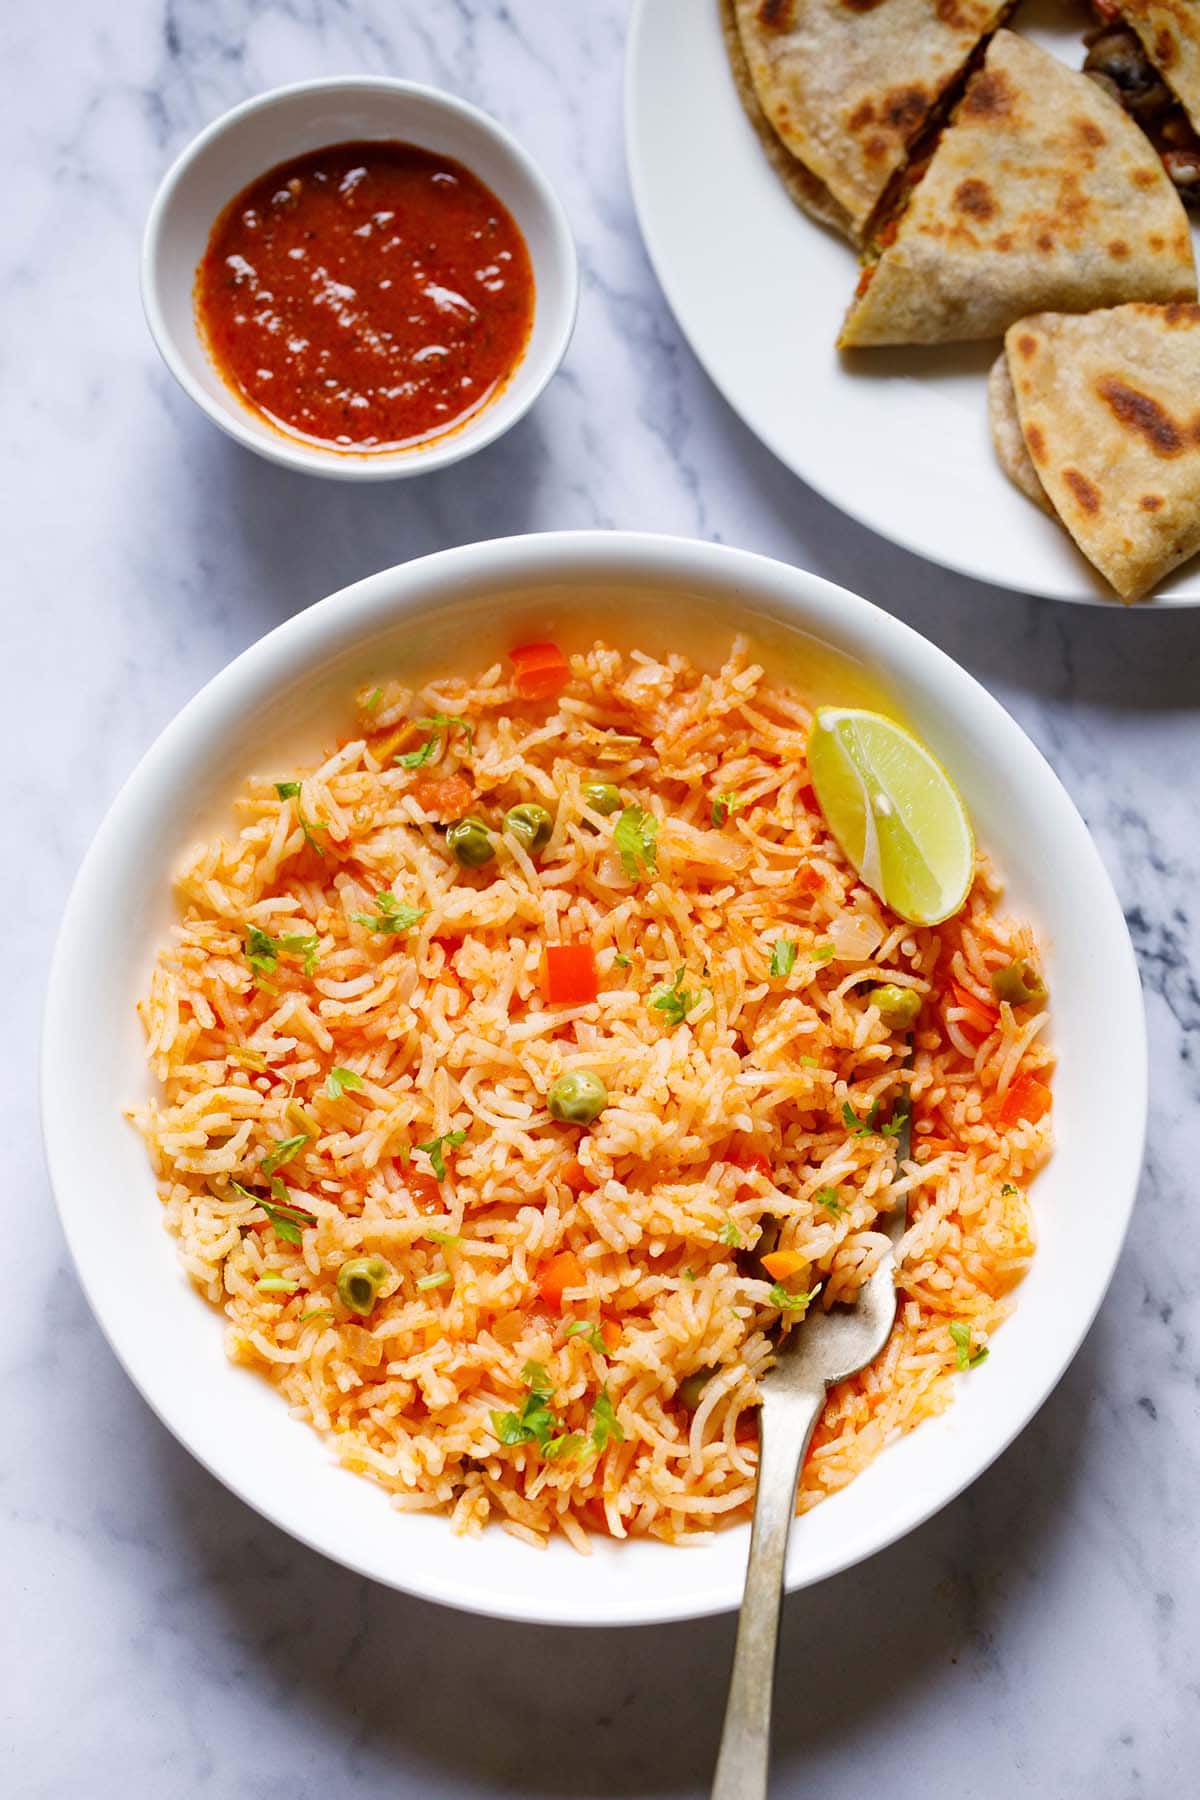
[{"x": 544, "y": 1408}]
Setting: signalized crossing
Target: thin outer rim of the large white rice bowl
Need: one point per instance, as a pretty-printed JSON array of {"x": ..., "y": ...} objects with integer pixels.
[{"x": 550, "y": 559}]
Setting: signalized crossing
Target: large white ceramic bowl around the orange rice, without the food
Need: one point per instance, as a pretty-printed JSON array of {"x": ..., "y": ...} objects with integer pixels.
[{"x": 289, "y": 694}]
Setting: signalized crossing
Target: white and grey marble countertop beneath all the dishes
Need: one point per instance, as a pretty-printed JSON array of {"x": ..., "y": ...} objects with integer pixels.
[{"x": 1041, "y": 1635}]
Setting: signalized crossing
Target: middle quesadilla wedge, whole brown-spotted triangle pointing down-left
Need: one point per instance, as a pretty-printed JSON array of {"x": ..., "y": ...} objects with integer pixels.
[{"x": 1041, "y": 197}]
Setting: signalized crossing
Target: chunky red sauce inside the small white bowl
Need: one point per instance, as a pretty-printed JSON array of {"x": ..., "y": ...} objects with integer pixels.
[{"x": 368, "y": 296}]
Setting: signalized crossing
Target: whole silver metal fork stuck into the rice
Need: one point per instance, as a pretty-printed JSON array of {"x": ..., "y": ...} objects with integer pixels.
[{"x": 819, "y": 1353}]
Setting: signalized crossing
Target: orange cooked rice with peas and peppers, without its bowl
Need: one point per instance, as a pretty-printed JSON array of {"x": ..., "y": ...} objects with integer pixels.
[{"x": 733, "y": 1095}]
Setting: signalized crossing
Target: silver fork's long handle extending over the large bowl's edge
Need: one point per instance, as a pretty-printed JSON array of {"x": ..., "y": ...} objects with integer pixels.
[{"x": 744, "y": 1759}]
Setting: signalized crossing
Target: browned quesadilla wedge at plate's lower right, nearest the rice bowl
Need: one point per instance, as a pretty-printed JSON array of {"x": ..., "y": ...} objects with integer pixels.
[{"x": 1107, "y": 408}]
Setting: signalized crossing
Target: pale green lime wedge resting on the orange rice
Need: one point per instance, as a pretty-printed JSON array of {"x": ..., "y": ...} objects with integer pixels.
[{"x": 895, "y": 813}]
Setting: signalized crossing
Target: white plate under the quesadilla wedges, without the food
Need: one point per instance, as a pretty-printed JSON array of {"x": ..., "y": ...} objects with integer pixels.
[{"x": 900, "y": 438}]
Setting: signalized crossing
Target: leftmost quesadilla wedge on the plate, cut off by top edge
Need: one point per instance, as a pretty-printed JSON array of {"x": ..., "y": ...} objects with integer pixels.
[{"x": 846, "y": 85}]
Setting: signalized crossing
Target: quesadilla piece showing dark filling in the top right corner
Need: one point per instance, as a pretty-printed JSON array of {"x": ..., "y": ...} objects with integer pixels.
[{"x": 1147, "y": 57}]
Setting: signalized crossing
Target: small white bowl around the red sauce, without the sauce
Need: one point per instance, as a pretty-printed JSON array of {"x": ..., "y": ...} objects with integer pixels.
[{"x": 289, "y": 123}]
